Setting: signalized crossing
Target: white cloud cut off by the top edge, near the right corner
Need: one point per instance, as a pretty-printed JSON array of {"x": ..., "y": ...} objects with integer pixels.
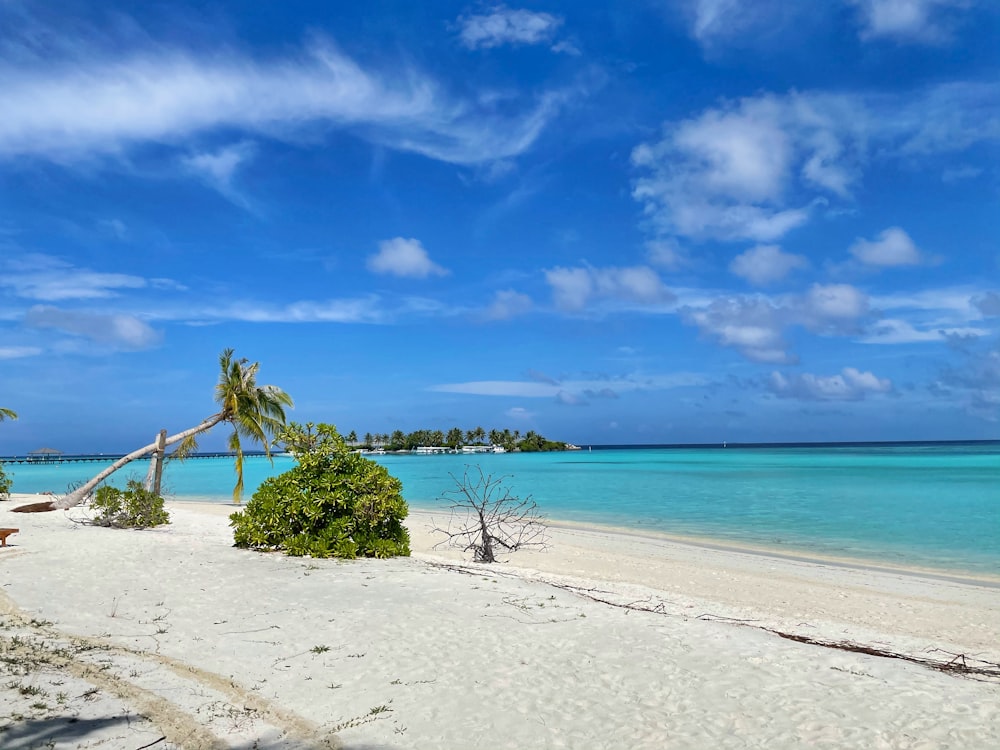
[{"x": 907, "y": 20}]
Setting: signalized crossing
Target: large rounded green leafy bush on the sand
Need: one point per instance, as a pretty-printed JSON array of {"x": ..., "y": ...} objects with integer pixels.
[{"x": 334, "y": 503}]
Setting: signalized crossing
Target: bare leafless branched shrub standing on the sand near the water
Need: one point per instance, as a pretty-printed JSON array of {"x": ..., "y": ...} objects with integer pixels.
[{"x": 487, "y": 520}]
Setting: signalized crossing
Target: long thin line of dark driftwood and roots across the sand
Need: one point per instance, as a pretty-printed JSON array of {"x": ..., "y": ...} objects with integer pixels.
[{"x": 950, "y": 663}]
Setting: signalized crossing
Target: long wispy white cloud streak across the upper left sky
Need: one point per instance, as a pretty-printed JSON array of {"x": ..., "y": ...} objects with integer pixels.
[{"x": 98, "y": 102}]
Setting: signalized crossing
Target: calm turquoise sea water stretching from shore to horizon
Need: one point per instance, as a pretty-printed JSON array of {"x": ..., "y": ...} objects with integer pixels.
[{"x": 916, "y": 505}]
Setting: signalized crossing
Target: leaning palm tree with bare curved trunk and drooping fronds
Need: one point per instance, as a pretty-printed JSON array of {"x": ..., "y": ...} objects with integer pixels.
[{"x": 256, "y": 413}]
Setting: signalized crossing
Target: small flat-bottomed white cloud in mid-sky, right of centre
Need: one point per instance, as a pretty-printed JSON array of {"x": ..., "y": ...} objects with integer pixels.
[{"x": 574, "y": 288}]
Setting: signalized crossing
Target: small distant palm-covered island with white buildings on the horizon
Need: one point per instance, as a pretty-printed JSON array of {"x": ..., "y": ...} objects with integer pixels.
[{"x": 456, "y": 440}]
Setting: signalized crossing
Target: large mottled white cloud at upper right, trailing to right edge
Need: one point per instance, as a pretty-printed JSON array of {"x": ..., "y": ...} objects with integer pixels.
[{"x": 757, "y": 168}]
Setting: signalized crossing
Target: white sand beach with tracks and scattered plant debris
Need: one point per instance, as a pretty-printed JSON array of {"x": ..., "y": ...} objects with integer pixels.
[{"x": 172, "y": 638}]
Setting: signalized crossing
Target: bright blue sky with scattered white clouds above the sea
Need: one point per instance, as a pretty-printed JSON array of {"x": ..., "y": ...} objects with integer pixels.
[{"x": 653, "y": 222}]
